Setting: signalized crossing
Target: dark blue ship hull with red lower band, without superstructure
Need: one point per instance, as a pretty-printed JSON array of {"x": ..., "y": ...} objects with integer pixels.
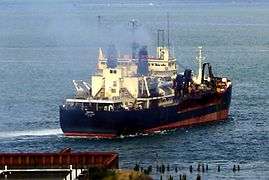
[{"x": 76, "y": 121}]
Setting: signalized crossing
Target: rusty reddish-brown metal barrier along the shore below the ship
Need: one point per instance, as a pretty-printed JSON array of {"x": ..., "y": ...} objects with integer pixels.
[{"x": 62, "y": 159}]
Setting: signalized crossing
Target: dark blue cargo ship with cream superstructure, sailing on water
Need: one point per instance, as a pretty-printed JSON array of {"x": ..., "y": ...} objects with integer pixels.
[{"x": 138, "y": 94}]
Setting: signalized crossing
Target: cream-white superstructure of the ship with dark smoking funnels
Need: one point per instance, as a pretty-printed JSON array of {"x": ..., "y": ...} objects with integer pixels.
[{"x": 134, "y": 82}]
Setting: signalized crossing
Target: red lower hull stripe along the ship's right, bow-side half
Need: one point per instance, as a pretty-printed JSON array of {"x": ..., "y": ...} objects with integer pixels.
[{"x": 191, "y": 121}]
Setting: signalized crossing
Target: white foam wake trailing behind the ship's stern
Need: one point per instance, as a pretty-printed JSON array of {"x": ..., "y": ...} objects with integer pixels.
[{"x": 41, "y": 132}]
